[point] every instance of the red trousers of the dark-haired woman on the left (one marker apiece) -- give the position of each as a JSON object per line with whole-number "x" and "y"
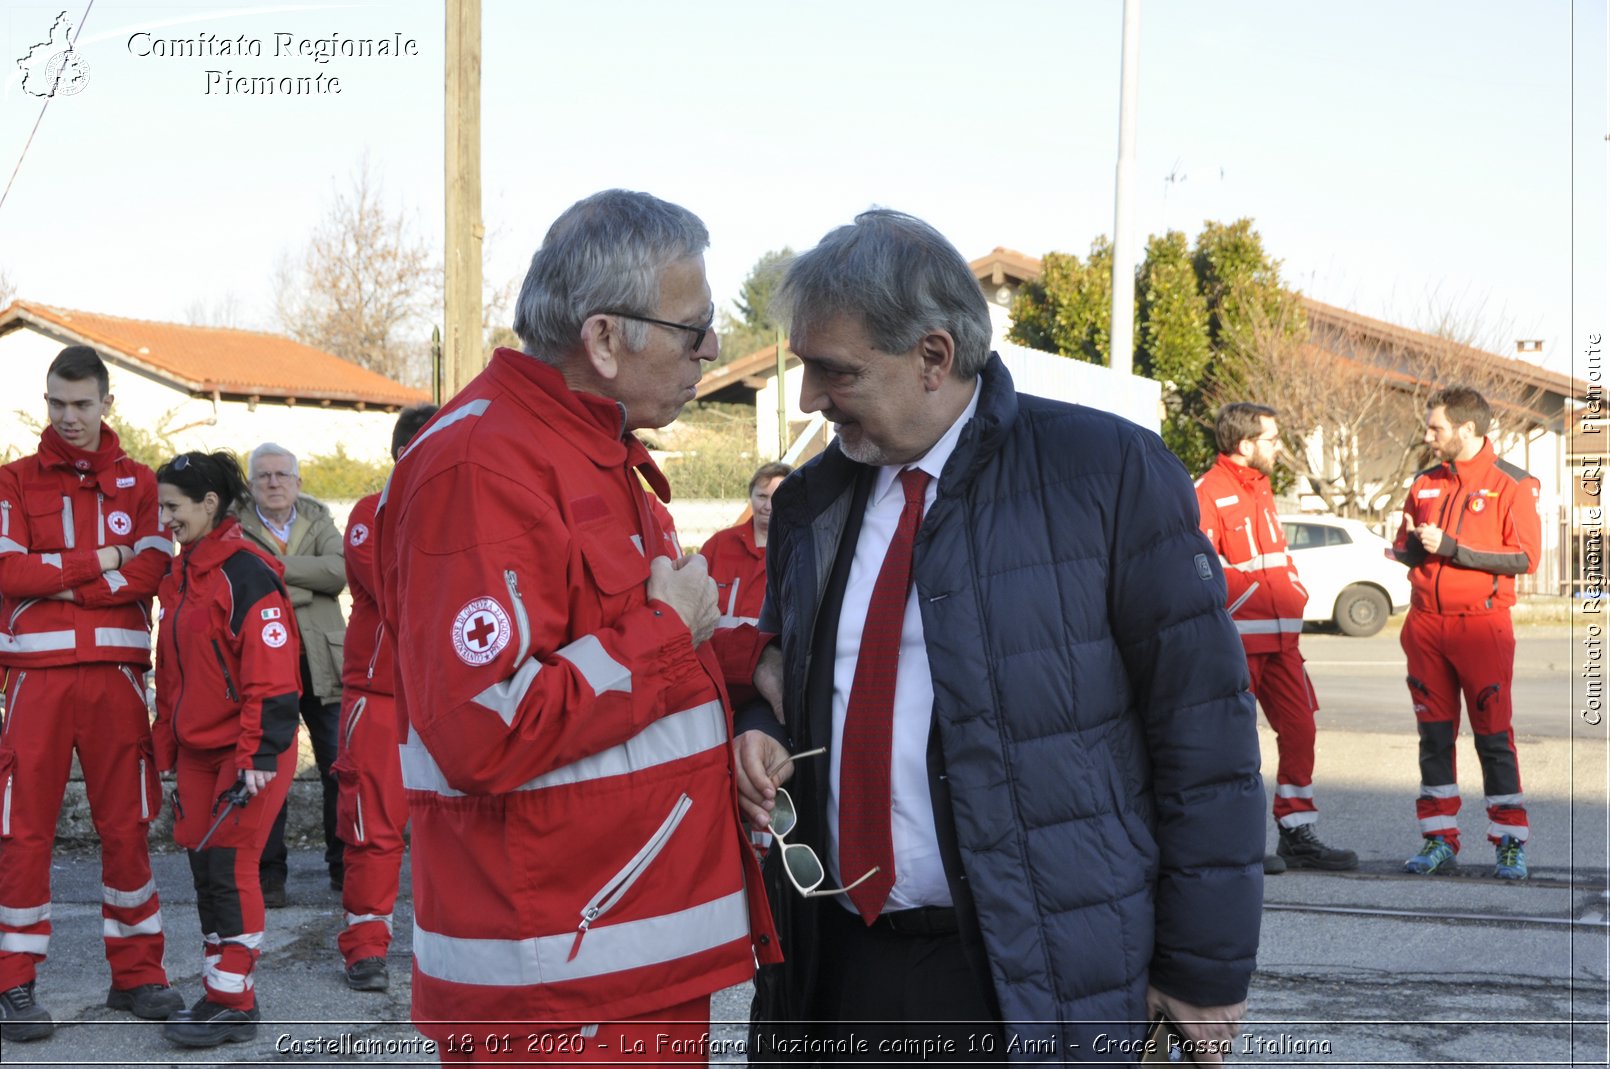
{"x": 229, "y": 898}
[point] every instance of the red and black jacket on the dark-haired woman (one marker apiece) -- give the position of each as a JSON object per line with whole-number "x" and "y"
{"x": 228, "y": 654}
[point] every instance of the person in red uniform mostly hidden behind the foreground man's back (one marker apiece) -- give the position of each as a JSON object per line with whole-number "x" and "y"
{"x": 373, "y": 811}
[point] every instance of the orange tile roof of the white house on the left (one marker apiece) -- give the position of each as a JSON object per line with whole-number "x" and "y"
{"x": 205, "y": 360}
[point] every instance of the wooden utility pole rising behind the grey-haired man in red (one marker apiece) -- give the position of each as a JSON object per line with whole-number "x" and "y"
{"x": 463, "y": 344}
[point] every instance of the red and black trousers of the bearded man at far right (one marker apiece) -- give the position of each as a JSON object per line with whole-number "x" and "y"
{"x": 1474, "y": 656}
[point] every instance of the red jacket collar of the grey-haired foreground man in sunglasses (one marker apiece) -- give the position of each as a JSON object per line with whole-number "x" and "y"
{"x": 593, "y": 423}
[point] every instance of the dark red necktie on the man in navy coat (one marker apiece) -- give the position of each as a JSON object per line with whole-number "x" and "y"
{"x": 869, "y": 722}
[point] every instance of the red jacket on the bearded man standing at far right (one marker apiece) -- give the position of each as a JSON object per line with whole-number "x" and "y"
{"x": 1488, "y": 514}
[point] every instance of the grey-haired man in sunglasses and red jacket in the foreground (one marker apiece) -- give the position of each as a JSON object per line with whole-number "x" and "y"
{"x": 576, "y": 835}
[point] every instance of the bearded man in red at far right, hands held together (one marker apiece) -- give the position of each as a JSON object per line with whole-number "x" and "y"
{"x": 1471, "y": 527}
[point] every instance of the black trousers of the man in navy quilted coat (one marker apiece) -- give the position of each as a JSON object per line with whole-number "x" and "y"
{"x": 901, "y": 996}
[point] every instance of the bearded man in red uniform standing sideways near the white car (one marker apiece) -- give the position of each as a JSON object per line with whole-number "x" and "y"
{"x": 1266, "y": 601}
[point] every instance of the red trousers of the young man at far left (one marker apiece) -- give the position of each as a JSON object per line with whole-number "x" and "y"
{"x": 99, "y": 711}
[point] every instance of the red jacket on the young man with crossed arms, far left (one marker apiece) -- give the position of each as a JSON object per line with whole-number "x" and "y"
{"x": 57, "y": 510}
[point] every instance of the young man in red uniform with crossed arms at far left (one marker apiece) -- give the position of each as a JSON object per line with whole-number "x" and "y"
{"x": 81, "y": 555}
